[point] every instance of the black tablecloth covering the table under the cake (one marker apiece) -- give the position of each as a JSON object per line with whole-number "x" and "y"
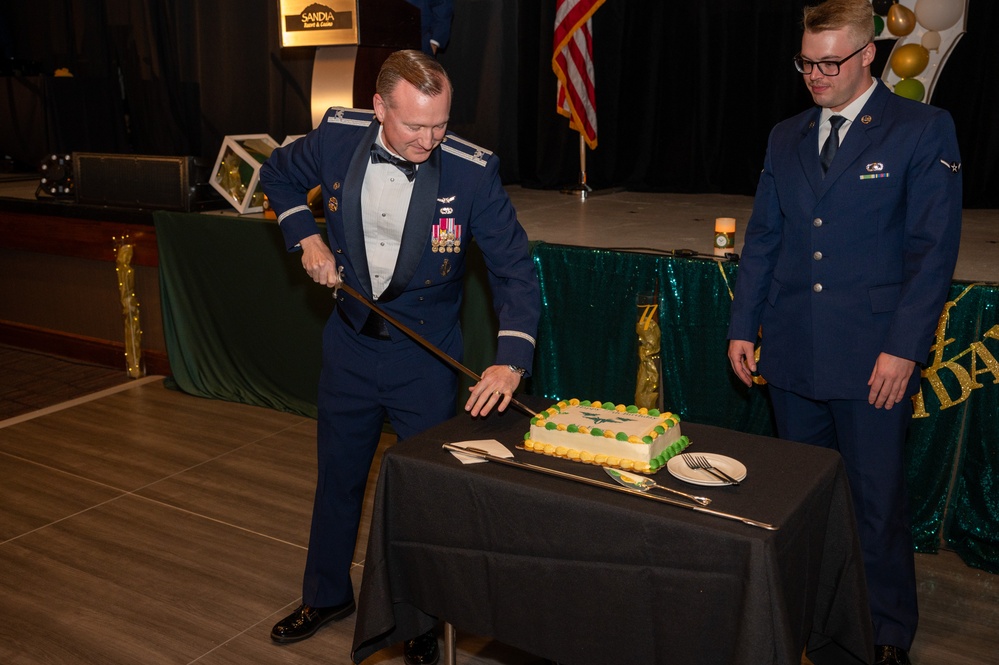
{"x": 587, "y": 576}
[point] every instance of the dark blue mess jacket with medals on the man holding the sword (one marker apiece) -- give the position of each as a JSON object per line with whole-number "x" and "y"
{"x": 459, "y": 182}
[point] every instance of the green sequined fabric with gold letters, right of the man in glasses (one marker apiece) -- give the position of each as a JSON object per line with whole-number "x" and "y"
{"x": 954, "y": 448}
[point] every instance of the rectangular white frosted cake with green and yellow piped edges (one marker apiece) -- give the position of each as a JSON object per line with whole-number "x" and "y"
{"x": 624, "y": 437}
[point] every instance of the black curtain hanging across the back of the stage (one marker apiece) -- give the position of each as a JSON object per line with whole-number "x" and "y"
{"x": 686, "y": 92}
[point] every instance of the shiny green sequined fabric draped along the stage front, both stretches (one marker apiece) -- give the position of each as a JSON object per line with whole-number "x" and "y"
{"x": 587, "y": 349}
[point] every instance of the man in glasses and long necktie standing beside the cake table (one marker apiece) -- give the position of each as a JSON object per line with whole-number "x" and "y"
{"x": 847, "y": 263}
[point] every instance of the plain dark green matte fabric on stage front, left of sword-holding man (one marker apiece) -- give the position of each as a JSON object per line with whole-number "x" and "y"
{"x": 241, "y": 319}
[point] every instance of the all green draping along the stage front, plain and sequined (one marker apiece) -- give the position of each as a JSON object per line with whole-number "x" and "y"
{"x": 243, "y": 323}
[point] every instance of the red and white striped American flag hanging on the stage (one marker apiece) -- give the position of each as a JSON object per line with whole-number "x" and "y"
{"x": 573, "y": 65}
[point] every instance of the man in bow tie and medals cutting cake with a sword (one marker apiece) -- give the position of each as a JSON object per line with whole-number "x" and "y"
{"x": 403, "y": 198}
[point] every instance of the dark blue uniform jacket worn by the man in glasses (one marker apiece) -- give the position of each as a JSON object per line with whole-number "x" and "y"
{"x": 838, "y": 269}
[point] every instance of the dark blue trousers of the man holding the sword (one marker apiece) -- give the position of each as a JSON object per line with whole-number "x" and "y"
{"x": 363, "y": 380}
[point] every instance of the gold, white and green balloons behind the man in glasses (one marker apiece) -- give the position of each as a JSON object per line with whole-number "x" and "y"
{"x": 926, "y": 32}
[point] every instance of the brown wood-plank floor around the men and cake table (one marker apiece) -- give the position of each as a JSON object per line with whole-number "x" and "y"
{"x": 146, "y": 526}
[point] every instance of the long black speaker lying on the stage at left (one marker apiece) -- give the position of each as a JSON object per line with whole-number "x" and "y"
{"x": 134, "y": 181}
